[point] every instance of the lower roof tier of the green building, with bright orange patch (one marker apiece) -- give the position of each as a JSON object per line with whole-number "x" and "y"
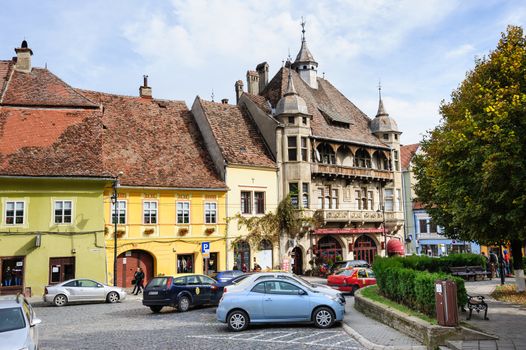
{"x": 50, "y": 142}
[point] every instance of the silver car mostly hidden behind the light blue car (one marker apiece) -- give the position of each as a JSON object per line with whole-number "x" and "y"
{"x": 250, "y": 277}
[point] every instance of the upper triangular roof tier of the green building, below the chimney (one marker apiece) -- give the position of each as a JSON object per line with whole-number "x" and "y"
{"x": 41, "y": 88}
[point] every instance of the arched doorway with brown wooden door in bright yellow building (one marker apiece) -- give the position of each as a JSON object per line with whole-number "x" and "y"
{"x": 127, "y": 264}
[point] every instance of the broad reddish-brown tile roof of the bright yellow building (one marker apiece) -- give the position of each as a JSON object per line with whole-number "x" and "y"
{"x": 155, "y": 143}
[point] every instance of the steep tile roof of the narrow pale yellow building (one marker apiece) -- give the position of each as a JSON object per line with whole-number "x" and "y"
{"x": 237, "y": 135}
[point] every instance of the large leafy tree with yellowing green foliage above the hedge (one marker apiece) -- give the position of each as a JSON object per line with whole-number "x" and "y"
{"x": 472, "y": 170}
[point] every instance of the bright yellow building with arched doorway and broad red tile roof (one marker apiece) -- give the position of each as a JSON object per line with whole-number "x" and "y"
{"x": 170, "y": 200}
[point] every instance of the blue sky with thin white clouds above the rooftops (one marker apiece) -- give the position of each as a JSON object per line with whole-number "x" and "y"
{"x": 420, "y": 51}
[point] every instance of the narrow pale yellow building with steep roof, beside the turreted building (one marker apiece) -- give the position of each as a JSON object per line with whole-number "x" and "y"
{"x": 246, "y": 164}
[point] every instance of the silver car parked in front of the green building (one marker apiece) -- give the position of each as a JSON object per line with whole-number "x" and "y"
{"x": 82, "y": 290}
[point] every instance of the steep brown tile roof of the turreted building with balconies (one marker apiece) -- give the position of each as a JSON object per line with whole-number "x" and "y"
{"x": 329, "y": 99}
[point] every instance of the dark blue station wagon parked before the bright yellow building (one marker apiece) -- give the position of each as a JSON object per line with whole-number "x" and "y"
{"x": 181, "y": 291}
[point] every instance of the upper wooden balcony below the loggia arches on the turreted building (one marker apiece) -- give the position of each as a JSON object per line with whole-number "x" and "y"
{"x": 334, "y": 171}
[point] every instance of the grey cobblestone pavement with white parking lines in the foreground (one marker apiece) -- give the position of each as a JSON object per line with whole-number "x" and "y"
{"x": 130, "y": 325}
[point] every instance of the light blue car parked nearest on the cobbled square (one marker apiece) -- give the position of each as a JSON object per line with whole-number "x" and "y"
{"x": 274, "y": 300}
